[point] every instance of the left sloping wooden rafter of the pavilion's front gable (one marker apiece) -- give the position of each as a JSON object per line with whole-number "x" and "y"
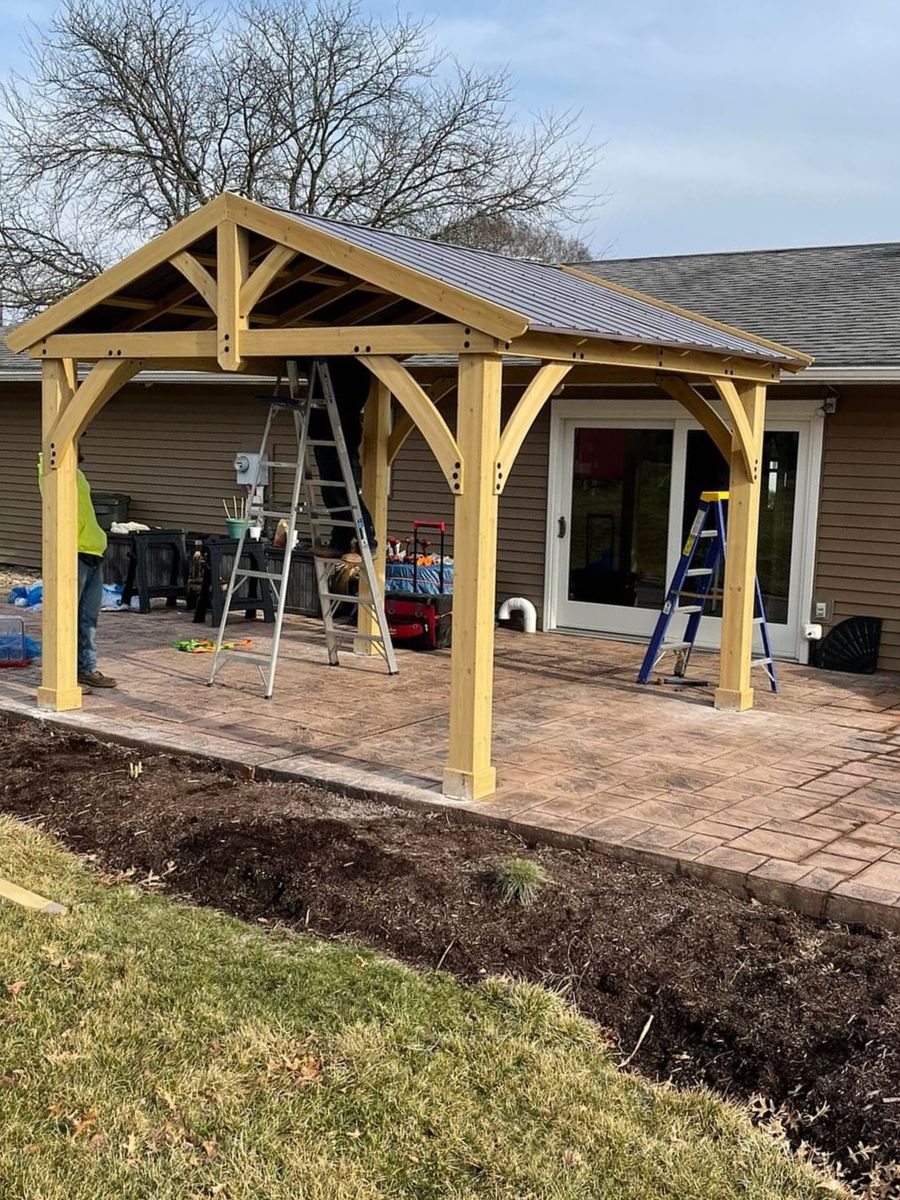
{"x": 155, "y": 253}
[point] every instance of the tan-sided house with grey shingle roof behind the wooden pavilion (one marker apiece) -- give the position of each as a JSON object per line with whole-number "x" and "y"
{"x": 595, "y": 512}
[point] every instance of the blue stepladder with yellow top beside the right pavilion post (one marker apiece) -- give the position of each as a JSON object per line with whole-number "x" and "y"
{"x": 694, "y": 585}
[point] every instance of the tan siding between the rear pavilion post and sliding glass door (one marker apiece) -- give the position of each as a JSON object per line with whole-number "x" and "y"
{"x": 418, "y": 490}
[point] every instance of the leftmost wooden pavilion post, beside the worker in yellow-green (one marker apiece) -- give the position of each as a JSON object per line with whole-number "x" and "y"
{"x": 59, "y": 688}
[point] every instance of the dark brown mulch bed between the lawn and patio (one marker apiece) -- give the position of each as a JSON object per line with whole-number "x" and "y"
{"x": 746, "y": 998}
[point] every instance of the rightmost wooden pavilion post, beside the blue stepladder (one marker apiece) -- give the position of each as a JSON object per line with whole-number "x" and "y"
{"x": 735, "y": 692}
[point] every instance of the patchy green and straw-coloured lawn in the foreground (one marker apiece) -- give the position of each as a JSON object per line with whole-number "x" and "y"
{"x": 153, "y": 1051}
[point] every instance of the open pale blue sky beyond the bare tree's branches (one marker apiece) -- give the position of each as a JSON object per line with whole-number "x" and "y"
{"x": 725, "y": 127}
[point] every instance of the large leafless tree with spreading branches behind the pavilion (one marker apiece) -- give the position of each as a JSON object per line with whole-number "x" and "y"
{"x": 135, "y": 112}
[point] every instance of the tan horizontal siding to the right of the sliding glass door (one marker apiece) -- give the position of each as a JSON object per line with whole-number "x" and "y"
{"x": 859, "y": 551}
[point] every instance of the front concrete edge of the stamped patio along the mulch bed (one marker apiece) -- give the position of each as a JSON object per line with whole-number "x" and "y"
{"x": 399, "y": 788}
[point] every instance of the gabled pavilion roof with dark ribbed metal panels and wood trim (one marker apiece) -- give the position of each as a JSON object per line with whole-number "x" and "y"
{"x": 326, "y": 274}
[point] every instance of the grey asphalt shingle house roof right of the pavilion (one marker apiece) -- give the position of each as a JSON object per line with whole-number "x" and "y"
{"x": 841, "y": 304}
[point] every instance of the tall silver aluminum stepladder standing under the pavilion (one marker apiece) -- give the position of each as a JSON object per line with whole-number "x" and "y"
{"x": 308, "y": 502}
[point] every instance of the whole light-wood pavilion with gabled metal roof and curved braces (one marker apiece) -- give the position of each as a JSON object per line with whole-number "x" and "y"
{"x": 238, "y": 286}
